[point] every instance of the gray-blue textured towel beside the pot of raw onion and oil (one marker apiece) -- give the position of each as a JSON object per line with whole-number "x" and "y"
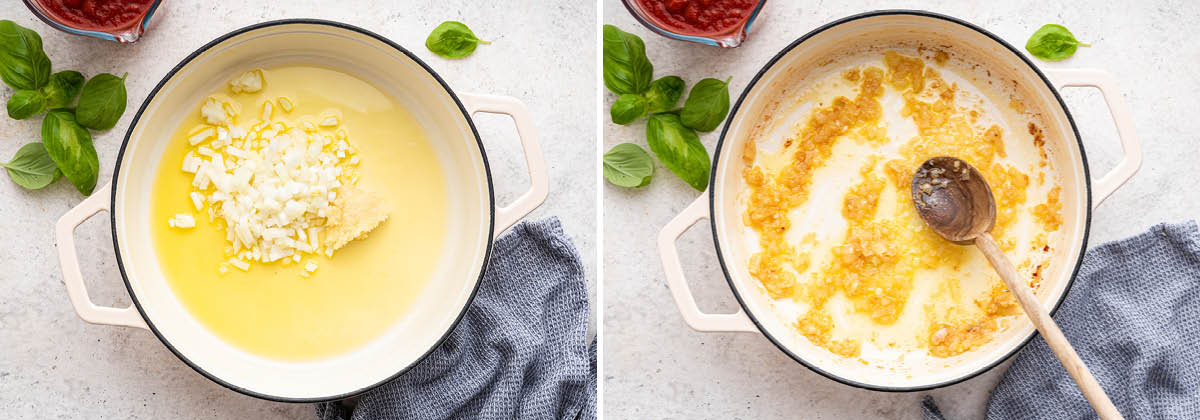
{"x": 521, "y": 351}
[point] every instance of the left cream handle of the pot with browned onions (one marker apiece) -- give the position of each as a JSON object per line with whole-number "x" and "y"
{"x": 692, "y": 314}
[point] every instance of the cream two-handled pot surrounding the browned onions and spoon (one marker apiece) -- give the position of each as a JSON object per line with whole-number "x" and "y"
{"x": 722, "y": 206}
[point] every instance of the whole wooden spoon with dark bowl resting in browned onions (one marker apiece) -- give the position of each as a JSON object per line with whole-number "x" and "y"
{"x": 957, "y": 202}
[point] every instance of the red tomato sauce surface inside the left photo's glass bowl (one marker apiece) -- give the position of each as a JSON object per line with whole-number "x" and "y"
{"x": 97, "y": 14}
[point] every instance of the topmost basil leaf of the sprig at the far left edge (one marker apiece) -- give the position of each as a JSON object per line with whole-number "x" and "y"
{"x": 23, "y": 64}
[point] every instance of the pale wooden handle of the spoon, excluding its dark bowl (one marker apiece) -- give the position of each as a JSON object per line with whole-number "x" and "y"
{"x": 1049, "y": 329}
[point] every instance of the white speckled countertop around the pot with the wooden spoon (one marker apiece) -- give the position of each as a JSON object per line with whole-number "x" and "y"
{"x": 656, "y": 367}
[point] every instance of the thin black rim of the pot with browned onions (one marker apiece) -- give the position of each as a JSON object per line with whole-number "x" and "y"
{"x": 721, "y": 143}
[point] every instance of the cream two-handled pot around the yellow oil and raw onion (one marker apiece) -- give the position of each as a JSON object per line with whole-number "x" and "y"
{"x": 445, "y": 116}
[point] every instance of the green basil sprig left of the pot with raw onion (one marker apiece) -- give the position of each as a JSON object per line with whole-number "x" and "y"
{"x": 67, "y": 148}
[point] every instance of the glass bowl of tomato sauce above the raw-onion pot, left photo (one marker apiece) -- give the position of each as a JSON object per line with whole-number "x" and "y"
{"x": 122, "y": 21}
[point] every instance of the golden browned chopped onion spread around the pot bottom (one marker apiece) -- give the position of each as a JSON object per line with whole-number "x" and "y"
{"x": 881, "y": 251}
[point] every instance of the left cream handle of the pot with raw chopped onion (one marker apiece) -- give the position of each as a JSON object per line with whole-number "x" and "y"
{"x": 64, "y": 241}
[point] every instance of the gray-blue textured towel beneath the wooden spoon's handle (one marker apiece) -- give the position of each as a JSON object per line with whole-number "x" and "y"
{"x": 1135, "y": 317}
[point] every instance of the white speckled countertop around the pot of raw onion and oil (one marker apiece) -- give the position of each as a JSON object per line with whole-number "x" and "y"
{"x": 53, "y": 365}
